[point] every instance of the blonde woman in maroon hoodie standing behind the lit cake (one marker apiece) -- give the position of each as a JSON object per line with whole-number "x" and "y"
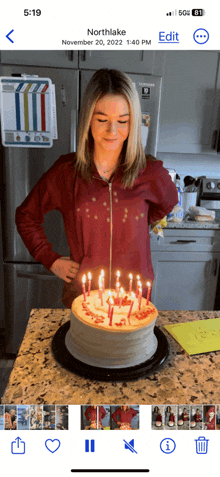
{"x": 108, "y": 193}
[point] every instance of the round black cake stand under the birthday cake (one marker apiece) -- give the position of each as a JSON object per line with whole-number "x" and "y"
{"x": 65, "y": 358}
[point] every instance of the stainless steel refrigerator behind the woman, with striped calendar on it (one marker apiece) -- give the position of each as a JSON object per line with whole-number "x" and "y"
{"x": 24, "y": 283}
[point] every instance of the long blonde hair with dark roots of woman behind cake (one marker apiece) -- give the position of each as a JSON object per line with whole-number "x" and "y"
{"x": 107, "y": 81}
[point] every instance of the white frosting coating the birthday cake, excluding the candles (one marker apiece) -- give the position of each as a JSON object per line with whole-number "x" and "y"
{"x": 107, "y": 346}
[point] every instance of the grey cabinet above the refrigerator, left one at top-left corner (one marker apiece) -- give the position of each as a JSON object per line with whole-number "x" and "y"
{"x": 54, "y": 58}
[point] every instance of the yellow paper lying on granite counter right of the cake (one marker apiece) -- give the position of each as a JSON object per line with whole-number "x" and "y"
{"x": 197, "y": 337}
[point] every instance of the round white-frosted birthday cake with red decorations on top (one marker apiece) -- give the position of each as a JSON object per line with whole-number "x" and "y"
{"x": 111, "y": 332}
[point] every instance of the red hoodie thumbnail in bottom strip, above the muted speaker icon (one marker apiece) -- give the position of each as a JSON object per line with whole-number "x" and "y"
{"x": 124, "y": 417}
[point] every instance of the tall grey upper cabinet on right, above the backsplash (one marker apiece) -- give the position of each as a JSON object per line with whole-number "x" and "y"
{"x": 189, "y": 113}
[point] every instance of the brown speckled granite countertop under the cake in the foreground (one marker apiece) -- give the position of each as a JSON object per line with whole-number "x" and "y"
{"x": 37, "y": 378}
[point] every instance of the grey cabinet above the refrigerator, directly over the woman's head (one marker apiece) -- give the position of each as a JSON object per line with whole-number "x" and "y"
{"x": 138, "y": 61}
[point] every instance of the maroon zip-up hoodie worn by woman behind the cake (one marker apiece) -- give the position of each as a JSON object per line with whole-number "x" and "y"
{"x": 103, "y": 222}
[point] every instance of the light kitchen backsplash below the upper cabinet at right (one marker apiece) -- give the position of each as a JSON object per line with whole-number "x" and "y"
{"x": 192, "y": 164}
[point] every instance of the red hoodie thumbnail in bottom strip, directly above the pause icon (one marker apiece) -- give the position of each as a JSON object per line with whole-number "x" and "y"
{"x": 95, "y": 417}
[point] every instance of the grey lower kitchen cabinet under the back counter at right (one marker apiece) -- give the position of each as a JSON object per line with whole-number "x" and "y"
{"x": 186, "y": 265}
